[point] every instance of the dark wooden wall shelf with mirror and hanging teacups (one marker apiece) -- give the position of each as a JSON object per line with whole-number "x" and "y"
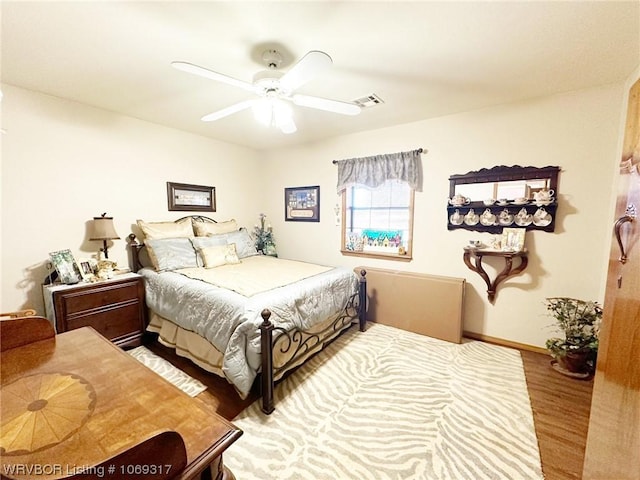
{"x": 488, "y": 200}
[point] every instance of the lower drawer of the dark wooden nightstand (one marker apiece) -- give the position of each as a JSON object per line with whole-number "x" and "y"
{"x": 111, "y": 323}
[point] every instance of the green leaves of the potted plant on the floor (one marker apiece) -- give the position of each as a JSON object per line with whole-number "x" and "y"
{"x": 579, "y": 322}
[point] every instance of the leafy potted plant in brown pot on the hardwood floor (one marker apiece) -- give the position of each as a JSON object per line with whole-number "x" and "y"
{"x": 579, "y": 322}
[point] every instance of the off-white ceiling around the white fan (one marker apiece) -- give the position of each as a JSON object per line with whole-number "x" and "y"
{"x": 424, "y": 59}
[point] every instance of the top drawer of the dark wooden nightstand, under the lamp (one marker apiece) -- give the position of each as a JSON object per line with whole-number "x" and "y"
{"x": 89, "y": 299}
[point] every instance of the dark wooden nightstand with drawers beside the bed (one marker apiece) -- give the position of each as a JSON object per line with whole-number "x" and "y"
{"x": 115, "y": 307}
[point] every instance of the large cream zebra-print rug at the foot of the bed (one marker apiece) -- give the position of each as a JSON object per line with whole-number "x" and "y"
{"x": 390, "y": 404}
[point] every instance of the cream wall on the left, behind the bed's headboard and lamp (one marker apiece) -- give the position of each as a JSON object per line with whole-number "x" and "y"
{"x": 64, "y": 163}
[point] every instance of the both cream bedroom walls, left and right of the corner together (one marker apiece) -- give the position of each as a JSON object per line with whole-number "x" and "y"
{"x": 63, "y": 163}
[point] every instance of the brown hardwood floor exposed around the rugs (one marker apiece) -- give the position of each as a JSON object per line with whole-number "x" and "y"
{"x": 560, "y": 408}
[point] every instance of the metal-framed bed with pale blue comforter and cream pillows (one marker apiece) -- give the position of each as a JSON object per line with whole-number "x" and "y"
{"x": 234, "y": 312}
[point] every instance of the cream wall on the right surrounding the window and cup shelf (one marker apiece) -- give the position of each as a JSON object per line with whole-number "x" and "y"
{"x": 577, "y": 131}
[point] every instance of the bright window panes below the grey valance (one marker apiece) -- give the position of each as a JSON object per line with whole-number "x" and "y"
{"x": 378, "y": 222}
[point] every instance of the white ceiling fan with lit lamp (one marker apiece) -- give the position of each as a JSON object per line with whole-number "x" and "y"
{"x": 276, "y": 90}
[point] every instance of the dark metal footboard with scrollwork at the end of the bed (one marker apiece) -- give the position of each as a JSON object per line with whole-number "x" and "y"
{"x": 298, "y": 344}
